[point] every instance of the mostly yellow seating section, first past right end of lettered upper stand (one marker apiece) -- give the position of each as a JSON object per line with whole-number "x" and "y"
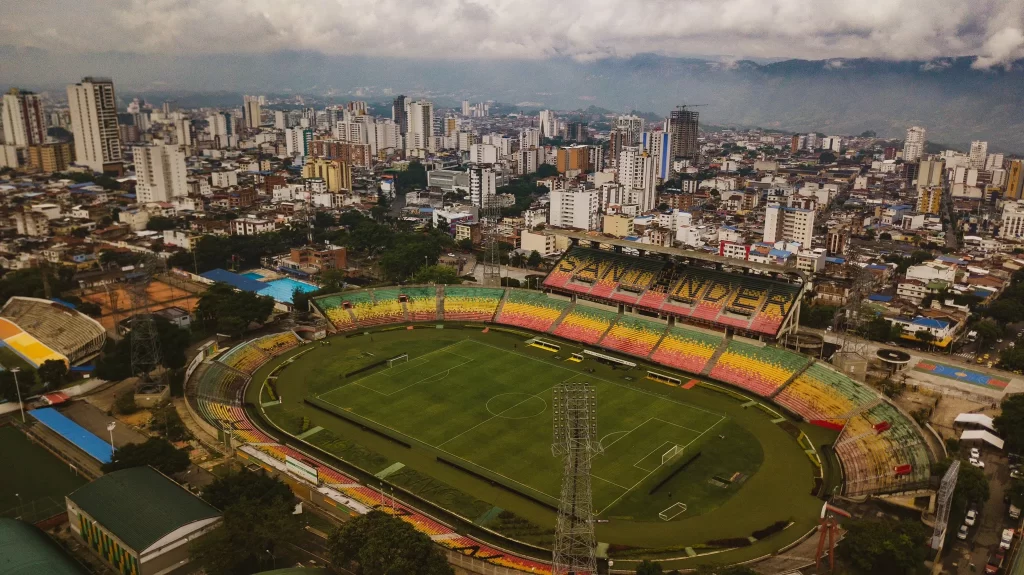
{"x": 821, "y": 393}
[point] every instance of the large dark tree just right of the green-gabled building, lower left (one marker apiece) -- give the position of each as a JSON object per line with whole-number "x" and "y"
{"x": 258, "y": 518}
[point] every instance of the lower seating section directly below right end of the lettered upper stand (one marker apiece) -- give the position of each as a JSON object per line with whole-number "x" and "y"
{"x": 760, "y": 370}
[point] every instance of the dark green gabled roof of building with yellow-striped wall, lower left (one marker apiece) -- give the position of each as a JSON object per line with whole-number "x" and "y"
{"x": 140, "y": 506}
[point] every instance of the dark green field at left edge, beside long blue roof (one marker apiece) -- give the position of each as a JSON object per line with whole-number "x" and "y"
{"x": 40, "y": 479}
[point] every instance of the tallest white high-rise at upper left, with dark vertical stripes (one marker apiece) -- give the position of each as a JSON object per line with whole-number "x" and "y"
{"x": 95, "y": 124}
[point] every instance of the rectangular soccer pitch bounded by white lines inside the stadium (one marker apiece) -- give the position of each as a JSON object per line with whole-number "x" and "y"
{"x": 488, "y": 409}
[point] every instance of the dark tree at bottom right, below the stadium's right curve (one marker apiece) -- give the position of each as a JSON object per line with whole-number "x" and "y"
{"x": 884, "y": 548}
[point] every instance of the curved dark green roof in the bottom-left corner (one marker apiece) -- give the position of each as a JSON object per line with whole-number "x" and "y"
{"x": 27, "y": 551}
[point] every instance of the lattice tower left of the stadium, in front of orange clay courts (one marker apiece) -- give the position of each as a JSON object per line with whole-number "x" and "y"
{"x": 145, "y": 340}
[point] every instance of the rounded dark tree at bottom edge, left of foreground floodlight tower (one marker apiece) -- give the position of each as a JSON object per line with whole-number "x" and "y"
{"x": 381, "y": 545}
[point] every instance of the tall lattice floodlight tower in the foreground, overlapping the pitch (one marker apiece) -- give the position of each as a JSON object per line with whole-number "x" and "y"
{"x": 576, "y": 443}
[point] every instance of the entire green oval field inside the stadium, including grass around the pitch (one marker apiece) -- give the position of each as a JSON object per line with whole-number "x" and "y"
{"x": 471, "y": 412}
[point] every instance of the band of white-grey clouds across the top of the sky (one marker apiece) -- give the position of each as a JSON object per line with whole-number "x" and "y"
{"x": 993, "y": 30}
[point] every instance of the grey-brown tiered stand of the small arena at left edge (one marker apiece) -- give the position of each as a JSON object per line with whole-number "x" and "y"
{"x": 69, "y": 333}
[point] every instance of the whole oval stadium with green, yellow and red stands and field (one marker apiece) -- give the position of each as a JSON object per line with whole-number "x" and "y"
{"x": 434, "y": 404}
